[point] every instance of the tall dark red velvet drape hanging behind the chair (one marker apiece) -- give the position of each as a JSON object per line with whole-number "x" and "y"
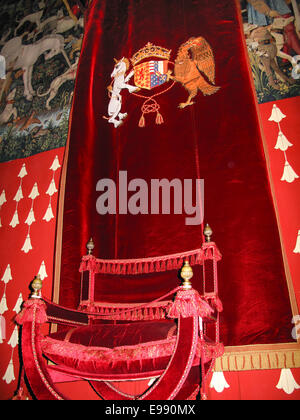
{"x": 217, "y": 139}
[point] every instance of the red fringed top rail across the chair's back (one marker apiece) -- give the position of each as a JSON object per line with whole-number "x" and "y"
{"x": 150, "y": 265}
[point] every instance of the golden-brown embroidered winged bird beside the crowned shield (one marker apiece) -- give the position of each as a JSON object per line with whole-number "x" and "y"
{"x": 195, "y": 59}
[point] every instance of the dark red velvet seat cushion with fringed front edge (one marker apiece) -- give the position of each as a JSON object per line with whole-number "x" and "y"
{"x": 121, "y": 351}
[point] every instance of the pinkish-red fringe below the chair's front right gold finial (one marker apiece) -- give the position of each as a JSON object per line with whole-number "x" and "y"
{"x": 189, "y": 303}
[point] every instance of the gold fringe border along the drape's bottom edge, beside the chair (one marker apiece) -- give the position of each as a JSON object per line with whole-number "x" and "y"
{"x": 259, "y": 357}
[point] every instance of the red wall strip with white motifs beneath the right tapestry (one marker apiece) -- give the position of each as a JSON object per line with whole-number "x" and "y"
{"x": 281, "y": 127}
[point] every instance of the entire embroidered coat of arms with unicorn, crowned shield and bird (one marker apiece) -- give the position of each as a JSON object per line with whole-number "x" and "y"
{"x": 151, "y": 70}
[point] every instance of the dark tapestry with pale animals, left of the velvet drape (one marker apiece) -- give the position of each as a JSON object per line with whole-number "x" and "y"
{"x": 40, "y": 44}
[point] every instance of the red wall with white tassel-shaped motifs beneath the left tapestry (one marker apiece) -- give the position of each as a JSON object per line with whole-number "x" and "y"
{"x": 28, "y": 207}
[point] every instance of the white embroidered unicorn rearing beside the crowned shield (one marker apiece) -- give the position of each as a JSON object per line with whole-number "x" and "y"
{"x": 119, "y": 83}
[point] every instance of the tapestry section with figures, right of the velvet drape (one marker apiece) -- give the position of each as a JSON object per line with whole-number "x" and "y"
{"x": 272, "y": 32}
